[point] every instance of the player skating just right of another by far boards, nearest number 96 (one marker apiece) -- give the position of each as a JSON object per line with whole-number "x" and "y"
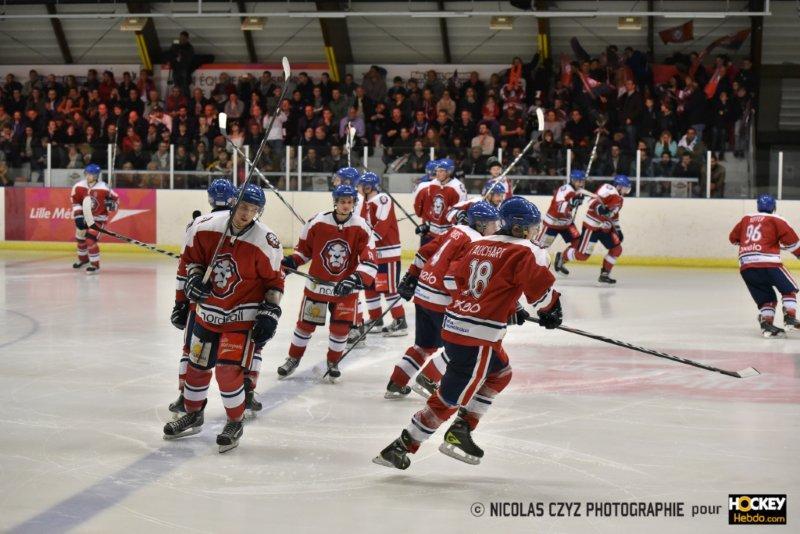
{"x": 601, "y": 224}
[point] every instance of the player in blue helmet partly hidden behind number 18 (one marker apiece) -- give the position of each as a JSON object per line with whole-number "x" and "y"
{"x": 424, "y": 281}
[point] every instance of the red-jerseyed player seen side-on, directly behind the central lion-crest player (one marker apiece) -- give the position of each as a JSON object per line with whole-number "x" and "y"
{"x": 379, "y": 213}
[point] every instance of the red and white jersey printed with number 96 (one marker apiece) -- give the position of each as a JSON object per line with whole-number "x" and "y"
{"x": 760, "y": 237}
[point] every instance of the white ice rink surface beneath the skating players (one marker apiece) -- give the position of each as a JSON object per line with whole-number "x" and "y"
{"x": 88, "y": 365}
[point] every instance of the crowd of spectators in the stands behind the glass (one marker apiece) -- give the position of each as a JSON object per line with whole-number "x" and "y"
{"x": 611, "y": 97}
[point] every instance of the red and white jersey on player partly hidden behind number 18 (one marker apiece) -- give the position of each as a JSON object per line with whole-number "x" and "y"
{"x": 432, "y": 262}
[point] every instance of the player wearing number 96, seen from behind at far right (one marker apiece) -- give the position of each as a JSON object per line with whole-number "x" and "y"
{"x": 760, "y": 237}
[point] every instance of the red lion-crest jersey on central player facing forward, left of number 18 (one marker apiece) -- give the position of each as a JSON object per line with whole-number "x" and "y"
{"x": 335, "y": 251}
